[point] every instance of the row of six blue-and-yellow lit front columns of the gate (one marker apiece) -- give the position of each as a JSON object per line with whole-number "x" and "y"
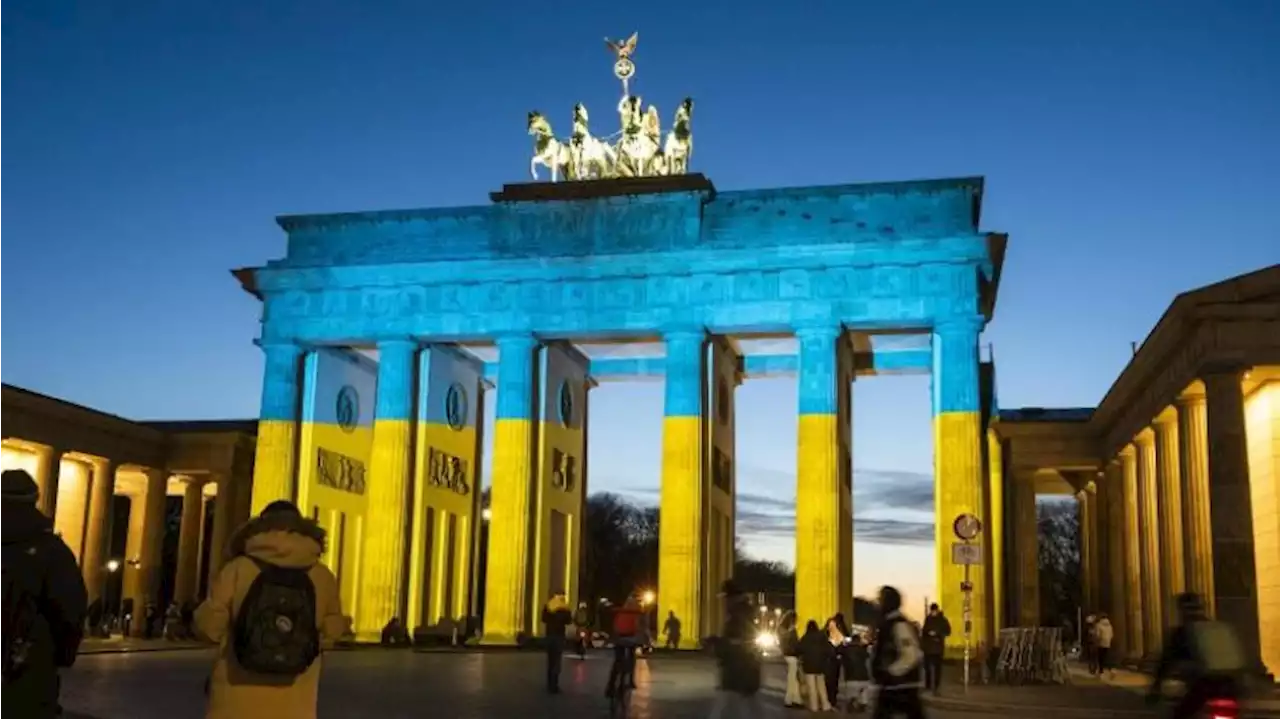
{"x": 693, "y": 498}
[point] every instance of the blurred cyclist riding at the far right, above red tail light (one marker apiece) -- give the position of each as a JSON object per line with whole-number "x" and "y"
{"x": 1206, "y": 654}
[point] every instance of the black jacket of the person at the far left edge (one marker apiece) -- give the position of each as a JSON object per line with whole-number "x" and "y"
{"x": 44, "y": 565}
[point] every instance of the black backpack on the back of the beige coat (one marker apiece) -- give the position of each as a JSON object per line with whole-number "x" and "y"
{"x": 276, "y": 629}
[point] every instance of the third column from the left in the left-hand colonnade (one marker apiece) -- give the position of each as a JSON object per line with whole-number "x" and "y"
{"x": 147, "y": 537}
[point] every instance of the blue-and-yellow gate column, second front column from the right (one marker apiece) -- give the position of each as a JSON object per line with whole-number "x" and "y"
{"x": 821, "y": 556}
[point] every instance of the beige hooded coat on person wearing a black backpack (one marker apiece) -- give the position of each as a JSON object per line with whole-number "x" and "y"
{"x": 235, "y": 693}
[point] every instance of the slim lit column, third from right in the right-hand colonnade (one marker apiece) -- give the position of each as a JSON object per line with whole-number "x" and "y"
{"x": 1171, "y": 492}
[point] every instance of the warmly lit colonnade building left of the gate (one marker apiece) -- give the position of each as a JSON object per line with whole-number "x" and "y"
{"x": 95, "y": 470}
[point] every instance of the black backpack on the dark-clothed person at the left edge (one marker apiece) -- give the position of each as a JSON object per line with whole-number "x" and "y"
{"x": 20, "y": 608}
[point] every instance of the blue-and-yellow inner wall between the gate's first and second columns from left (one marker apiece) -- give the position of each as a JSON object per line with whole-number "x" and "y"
{"x": 335, "y": 455}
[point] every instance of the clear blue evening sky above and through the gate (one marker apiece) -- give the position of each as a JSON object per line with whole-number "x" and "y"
{"x": 145, "y": 148}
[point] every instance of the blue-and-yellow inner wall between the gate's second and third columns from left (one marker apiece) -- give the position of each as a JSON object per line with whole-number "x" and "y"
{"x": 446, "y": 487}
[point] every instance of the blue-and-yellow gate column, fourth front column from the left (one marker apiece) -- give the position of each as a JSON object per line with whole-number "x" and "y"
{"x": 682, "y": 538}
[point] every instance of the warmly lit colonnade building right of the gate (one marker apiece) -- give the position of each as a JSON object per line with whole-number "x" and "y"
{"x": 1176, "y": 471}
